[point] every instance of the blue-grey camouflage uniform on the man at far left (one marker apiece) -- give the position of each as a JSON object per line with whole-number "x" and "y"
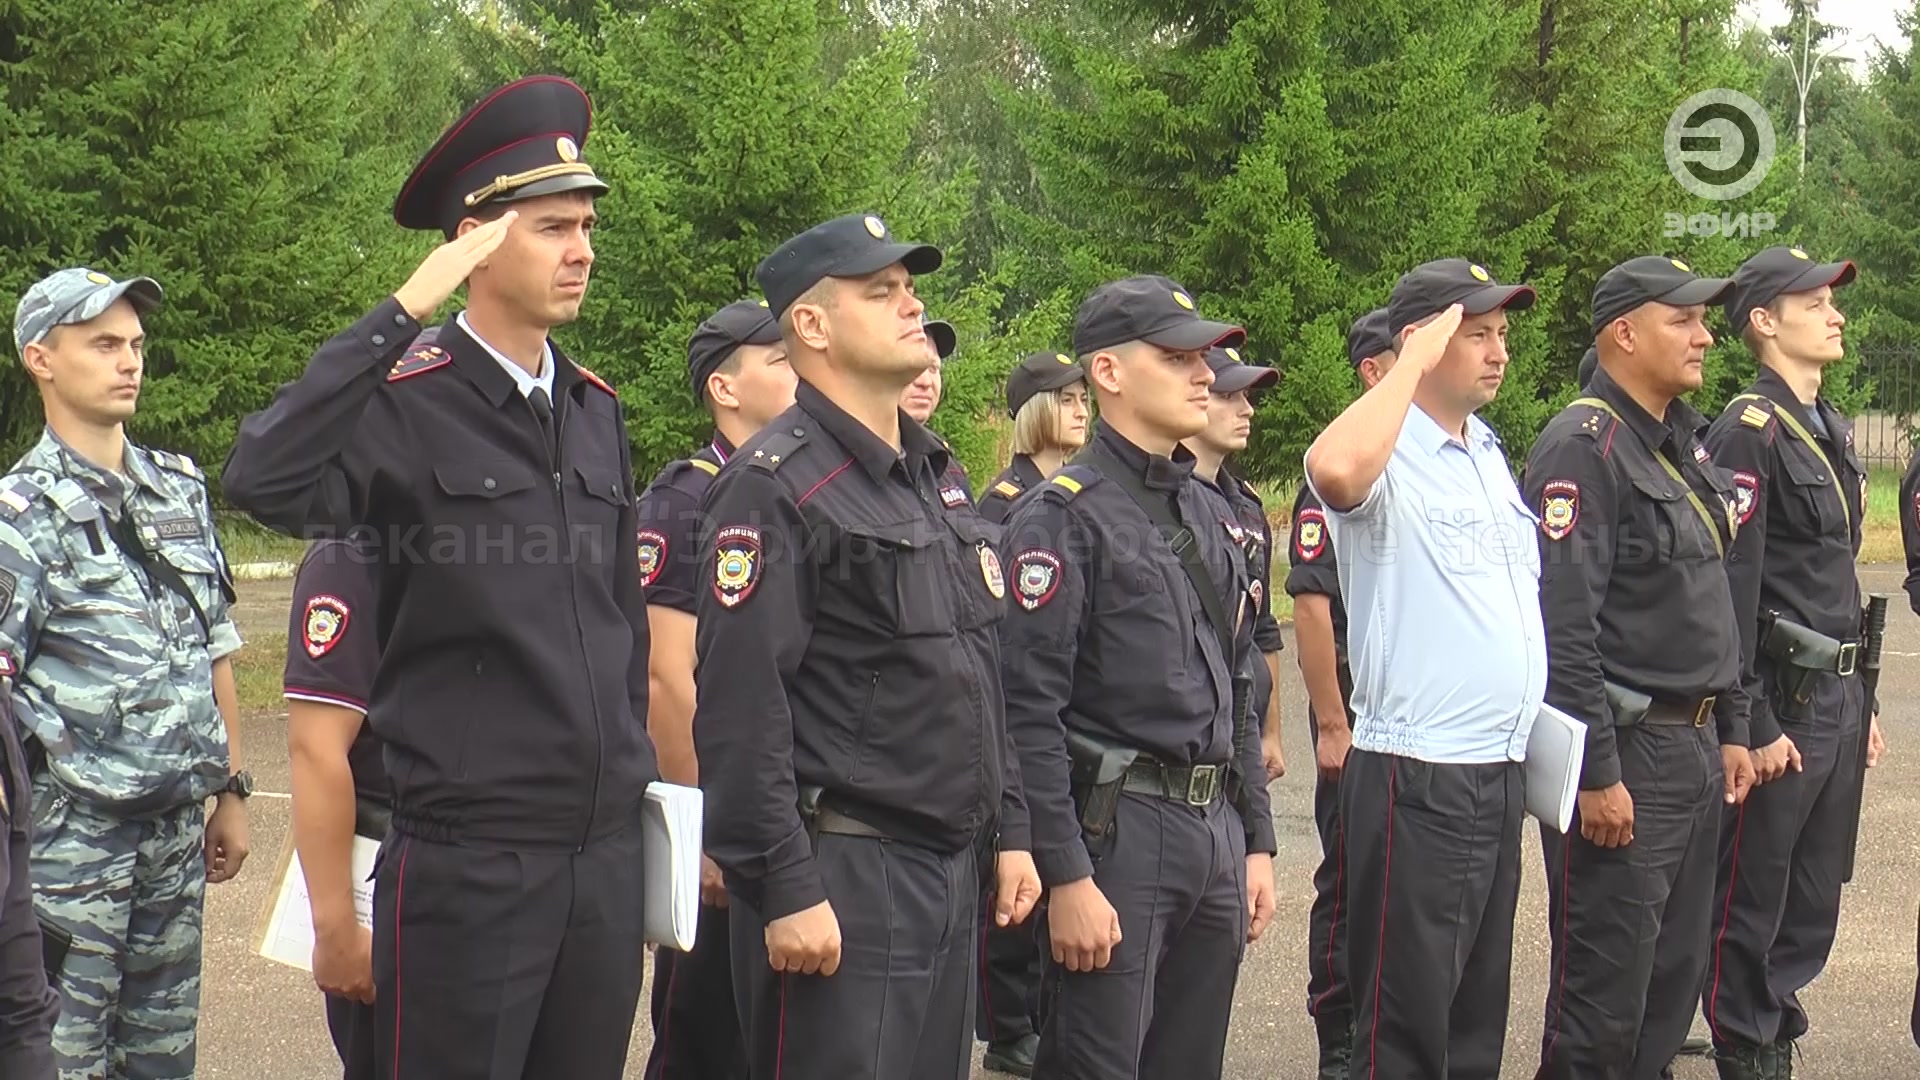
{"x": 116, "y": 702}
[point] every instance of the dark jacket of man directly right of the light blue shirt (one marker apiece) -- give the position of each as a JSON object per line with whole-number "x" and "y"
{"x": 1633, "y": 566}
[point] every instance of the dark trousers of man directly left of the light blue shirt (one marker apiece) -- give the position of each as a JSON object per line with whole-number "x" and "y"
{"x": 1159, "y": 1012}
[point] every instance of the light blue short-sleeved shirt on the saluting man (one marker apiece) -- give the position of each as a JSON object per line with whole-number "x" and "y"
{"x": 1441, "y": 576}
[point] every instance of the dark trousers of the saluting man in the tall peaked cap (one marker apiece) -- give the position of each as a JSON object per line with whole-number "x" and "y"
{"x": 548, "y": 994}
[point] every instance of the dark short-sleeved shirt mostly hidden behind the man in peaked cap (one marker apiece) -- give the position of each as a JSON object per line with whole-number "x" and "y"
{"x": 333, "y": 650}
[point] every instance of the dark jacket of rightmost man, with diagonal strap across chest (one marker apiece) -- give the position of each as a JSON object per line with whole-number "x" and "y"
{"x": 1800, "y": 497}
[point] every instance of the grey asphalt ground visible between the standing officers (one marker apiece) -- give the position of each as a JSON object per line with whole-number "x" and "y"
{"x": 262, "y": 1019}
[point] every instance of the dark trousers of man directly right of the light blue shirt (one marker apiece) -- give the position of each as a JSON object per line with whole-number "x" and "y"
{"x": 1631, "y": 923}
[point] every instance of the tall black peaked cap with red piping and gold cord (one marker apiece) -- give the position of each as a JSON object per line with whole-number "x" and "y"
{"x": 521, "y": 141}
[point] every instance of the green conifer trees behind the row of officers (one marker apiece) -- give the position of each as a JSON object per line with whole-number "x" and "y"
{"x": 1287, "y": 160}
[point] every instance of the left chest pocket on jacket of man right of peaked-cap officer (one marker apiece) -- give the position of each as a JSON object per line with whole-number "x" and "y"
{"x": 898, "y": 576}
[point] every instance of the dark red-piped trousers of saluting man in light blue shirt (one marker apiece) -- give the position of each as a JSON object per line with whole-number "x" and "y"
{"x": 1433, "y": 862}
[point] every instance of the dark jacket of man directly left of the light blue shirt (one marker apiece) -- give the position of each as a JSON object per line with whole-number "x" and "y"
{"x": 1107, "y": 635}
